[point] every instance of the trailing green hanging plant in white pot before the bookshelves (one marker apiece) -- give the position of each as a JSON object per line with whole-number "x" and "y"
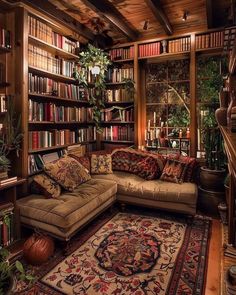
{"x": 94, "y": 59}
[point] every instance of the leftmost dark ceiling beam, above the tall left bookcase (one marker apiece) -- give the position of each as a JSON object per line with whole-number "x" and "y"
{"x": 61, "y": 16}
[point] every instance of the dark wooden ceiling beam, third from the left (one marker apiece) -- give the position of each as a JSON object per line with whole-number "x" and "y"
{"x": 160, "y": 15}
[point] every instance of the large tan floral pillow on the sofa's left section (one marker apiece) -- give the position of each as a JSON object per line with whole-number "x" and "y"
{"x": 68, "y": 172}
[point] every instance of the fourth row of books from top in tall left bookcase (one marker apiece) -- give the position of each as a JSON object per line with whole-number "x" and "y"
{"x": 41, "y": 112}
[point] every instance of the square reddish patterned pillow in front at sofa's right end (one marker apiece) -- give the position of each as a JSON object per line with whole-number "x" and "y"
{"x": 173, "y": 171}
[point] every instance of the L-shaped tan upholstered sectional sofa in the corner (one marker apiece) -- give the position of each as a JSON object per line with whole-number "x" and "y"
{"x": 64, "y": 215}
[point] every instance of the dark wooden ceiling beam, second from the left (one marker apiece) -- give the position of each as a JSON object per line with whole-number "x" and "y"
{"x": 106, "y": 10}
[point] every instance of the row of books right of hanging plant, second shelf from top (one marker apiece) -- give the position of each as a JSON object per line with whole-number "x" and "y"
{"x": 115, "y": 75}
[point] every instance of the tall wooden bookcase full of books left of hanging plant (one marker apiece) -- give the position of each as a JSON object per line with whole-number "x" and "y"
{"x": 53, "y": 85}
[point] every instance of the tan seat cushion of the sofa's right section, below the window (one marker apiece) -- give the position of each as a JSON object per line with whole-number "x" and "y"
{"x": 132, "y": 185}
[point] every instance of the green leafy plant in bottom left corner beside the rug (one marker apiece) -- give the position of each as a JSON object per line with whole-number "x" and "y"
{"x": 13, "y": 277}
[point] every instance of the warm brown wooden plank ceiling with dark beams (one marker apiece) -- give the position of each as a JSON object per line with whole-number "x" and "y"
{"x": 119, "y": 21}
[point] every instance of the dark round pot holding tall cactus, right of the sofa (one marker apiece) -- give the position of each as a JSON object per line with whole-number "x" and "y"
{"x": 212, "y": 180}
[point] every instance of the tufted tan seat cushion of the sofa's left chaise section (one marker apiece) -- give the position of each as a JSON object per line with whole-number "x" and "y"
{"x": 70, "y": 207}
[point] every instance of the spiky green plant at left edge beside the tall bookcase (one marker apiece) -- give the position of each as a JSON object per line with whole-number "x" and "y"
{"x": 10, "y": 138}
